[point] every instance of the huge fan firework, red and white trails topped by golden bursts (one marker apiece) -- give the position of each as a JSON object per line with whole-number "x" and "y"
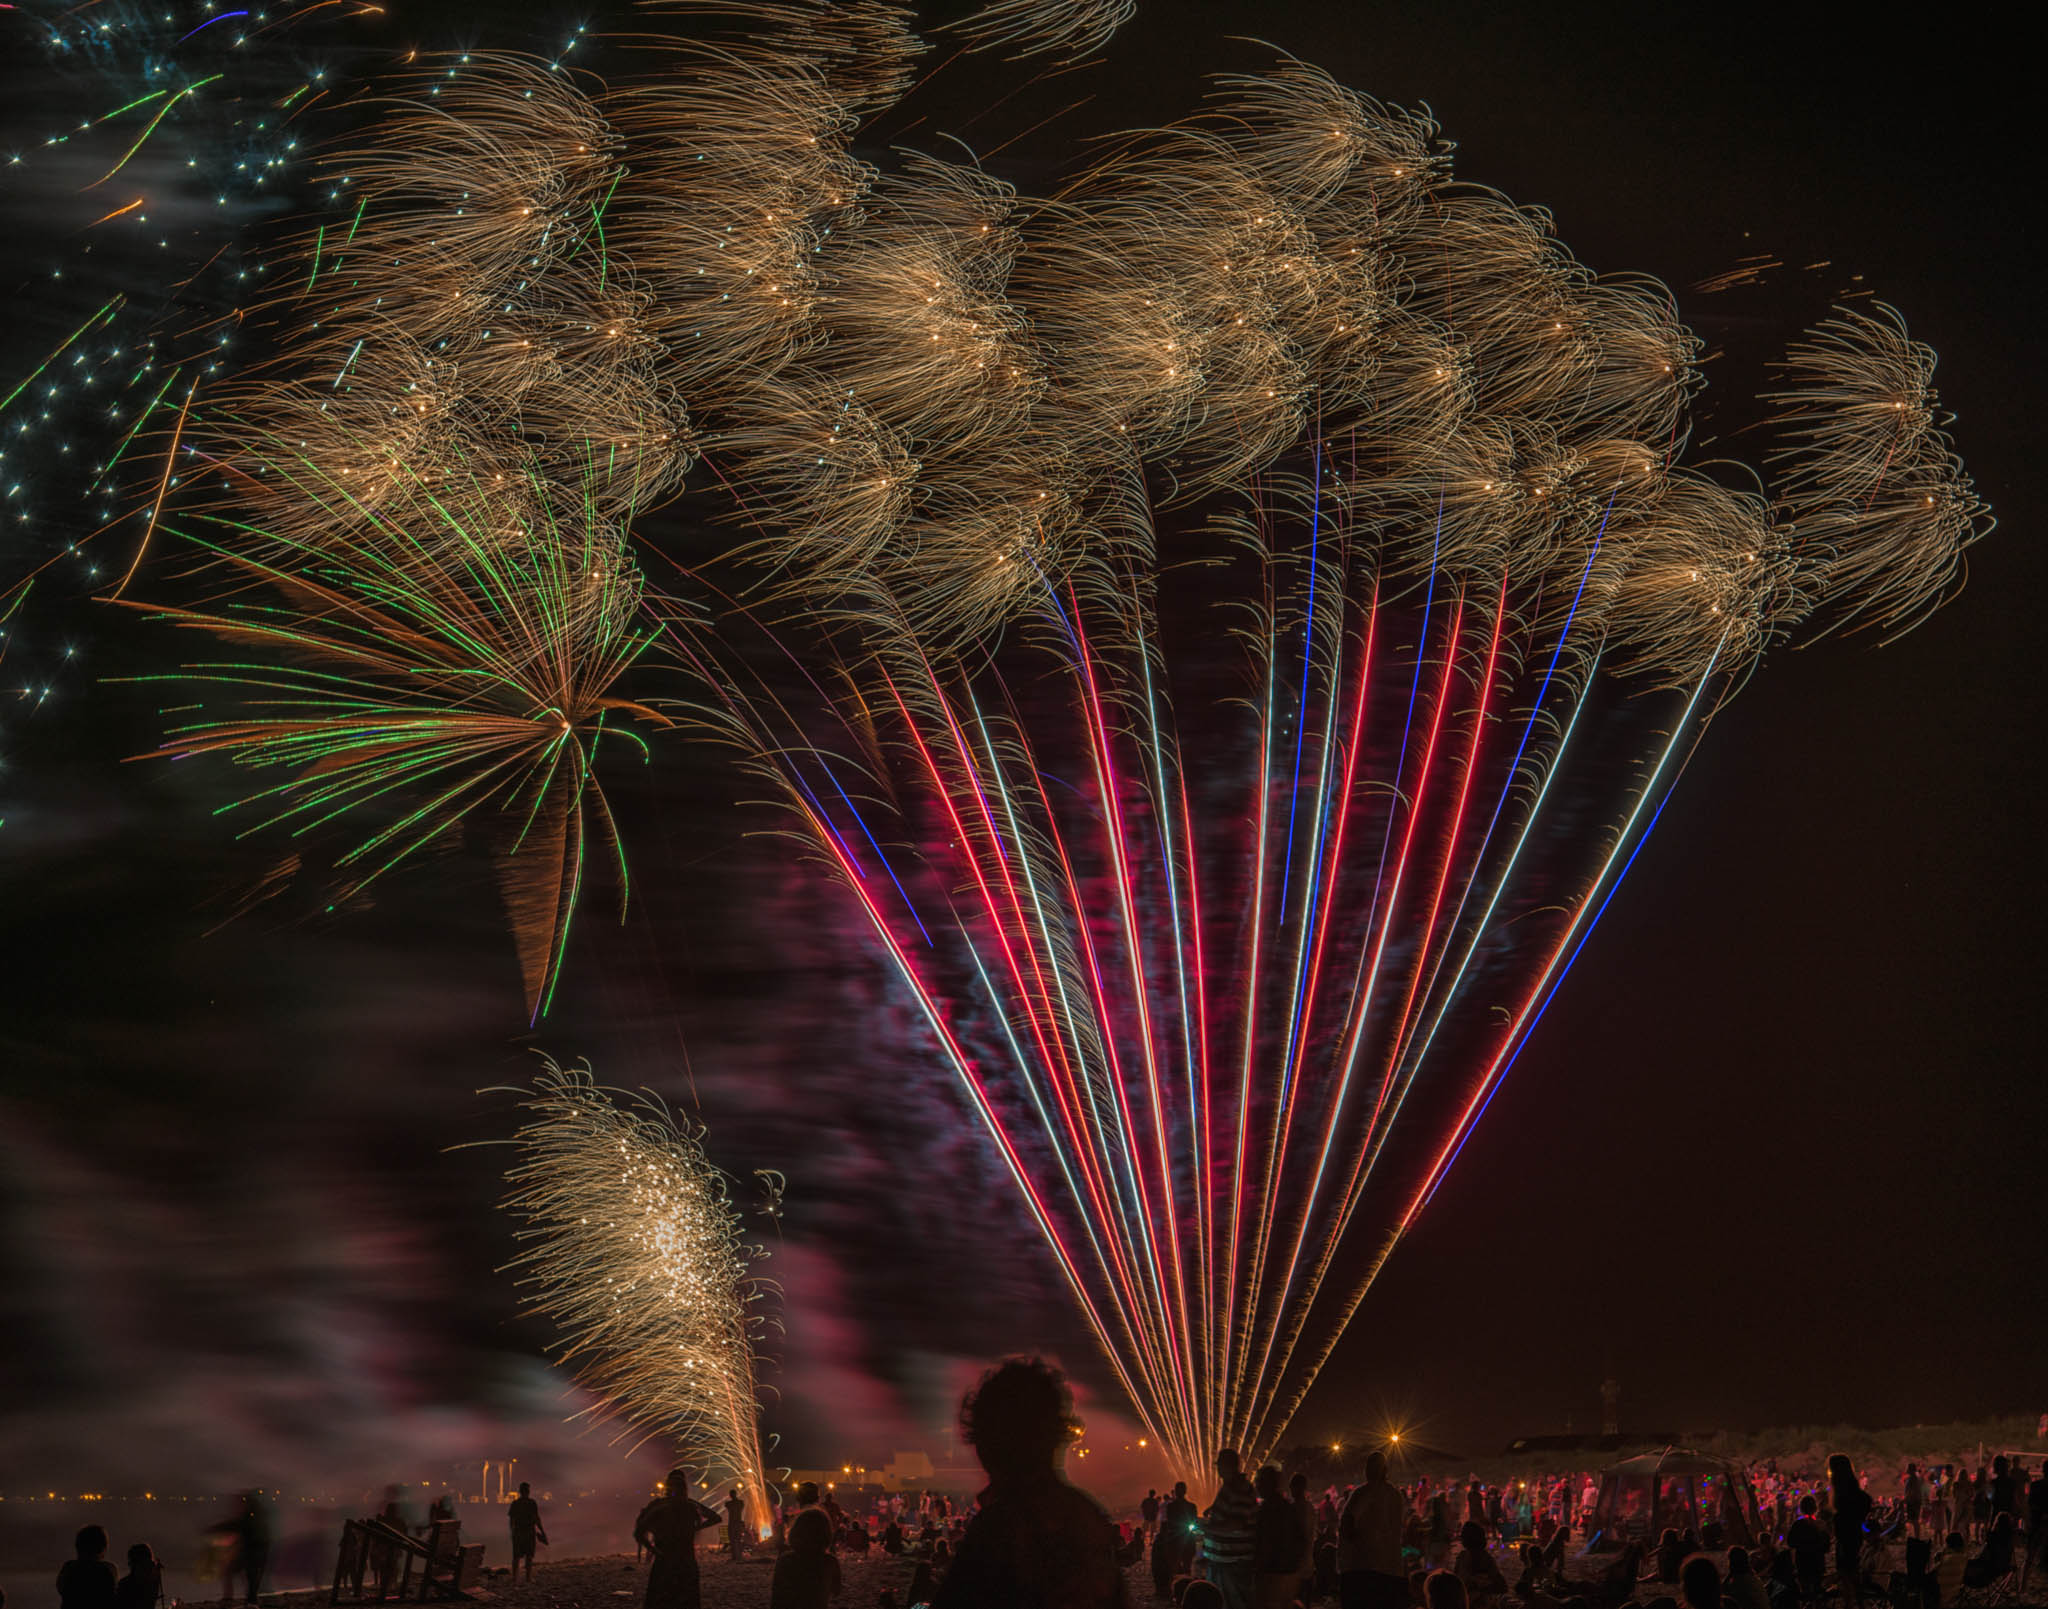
{"x": 1228, "y": 957}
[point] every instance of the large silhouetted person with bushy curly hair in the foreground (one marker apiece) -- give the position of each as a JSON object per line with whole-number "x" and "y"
{"x": 1035, "y": 1540}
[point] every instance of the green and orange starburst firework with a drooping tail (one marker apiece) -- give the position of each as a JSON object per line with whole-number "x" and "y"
{"x": 443, "y": 652}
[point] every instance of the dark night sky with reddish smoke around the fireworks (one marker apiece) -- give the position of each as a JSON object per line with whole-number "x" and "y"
{"x": 1775, "y": 1156}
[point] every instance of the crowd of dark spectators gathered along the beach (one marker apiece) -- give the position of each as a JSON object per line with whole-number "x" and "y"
{"x": 1932, "y": 1538}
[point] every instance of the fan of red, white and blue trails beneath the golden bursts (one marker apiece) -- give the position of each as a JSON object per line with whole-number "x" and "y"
{"x": 1129, "y": 971}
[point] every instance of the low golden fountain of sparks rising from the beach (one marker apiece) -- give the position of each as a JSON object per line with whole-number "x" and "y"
{"x": 636, "y": 1254}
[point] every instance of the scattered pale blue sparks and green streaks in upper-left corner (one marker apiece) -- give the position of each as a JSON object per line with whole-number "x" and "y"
{"x": 151, "y": 140}
